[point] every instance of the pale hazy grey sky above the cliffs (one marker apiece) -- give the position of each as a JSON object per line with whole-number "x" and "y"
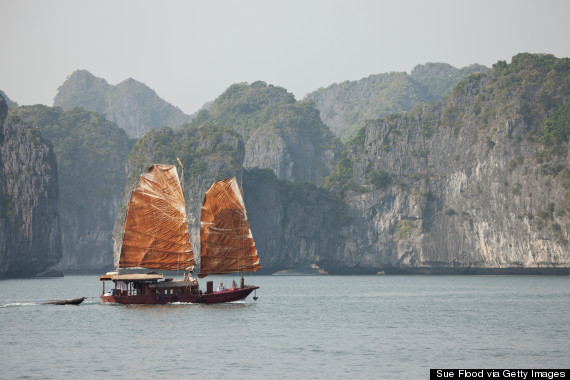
{"x": 189, "y": 51}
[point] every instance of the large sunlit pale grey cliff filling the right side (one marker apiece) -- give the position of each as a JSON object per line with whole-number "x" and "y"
{"x": 480, "y": 180}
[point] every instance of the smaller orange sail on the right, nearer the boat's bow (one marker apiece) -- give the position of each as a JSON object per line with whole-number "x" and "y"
{"x": 227, "y": 245}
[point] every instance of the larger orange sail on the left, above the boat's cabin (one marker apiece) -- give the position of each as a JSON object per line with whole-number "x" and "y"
{"x": 155, "y": 230}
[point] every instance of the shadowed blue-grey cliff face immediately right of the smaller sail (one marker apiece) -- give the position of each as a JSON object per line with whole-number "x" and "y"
{"x": 292, "y": 224}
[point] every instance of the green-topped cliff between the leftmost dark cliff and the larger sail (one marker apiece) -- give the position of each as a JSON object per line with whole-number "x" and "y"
{"x": 90, "y": 152}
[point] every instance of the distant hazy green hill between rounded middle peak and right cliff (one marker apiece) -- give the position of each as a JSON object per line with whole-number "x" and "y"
{"x": 344, "y": 107}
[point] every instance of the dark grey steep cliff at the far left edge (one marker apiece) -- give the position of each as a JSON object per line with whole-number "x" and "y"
{"x": 30, "y": 240}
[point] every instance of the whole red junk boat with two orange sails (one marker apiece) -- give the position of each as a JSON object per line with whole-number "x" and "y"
{"x": 156, "y": 237}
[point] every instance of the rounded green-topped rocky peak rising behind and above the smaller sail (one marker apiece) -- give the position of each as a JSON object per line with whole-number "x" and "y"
{"x": 280, "y": 133}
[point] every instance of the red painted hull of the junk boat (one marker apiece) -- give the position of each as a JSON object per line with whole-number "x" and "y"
{"x": 207, "y": 298}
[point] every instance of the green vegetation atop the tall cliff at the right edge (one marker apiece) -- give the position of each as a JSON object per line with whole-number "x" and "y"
{"x": 534, "y": 89}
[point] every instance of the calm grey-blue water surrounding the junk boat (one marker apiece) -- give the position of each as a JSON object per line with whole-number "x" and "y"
{"x": 301, "y": 327}
